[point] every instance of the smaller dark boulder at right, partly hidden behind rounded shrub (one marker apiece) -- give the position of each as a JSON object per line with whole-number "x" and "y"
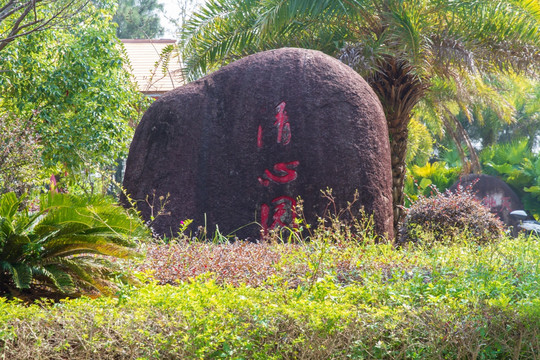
{"x": 495, "y": 194}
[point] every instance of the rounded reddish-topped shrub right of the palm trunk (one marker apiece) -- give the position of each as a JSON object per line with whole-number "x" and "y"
{"x": 448, "y": 215}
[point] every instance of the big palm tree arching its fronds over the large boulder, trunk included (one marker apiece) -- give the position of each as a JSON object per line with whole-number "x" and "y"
{"x": 398, "y": 46}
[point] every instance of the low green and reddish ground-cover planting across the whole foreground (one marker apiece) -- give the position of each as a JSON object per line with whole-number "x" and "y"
{"x": 317, "y": 300}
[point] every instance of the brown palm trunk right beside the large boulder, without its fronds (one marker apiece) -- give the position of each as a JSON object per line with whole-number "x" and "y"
{"x": 399, "y": 90}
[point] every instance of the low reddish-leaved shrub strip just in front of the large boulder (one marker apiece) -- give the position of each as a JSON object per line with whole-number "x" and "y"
{"x": 254, "y": 264}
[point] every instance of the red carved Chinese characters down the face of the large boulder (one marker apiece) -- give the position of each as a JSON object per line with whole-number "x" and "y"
{"x": 282, "y": 210}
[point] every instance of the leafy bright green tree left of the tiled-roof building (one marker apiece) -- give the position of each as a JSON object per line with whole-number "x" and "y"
{"x": 69, "y": 89}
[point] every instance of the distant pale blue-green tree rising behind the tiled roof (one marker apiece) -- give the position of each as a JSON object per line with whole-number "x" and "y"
{"x": 138, "y": 19}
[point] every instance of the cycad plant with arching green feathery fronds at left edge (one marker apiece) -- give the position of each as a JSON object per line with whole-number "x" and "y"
{"x": 67, "y": 248}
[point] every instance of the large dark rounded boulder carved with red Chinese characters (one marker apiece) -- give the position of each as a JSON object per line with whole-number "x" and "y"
{"x": 237, "y": 147}
